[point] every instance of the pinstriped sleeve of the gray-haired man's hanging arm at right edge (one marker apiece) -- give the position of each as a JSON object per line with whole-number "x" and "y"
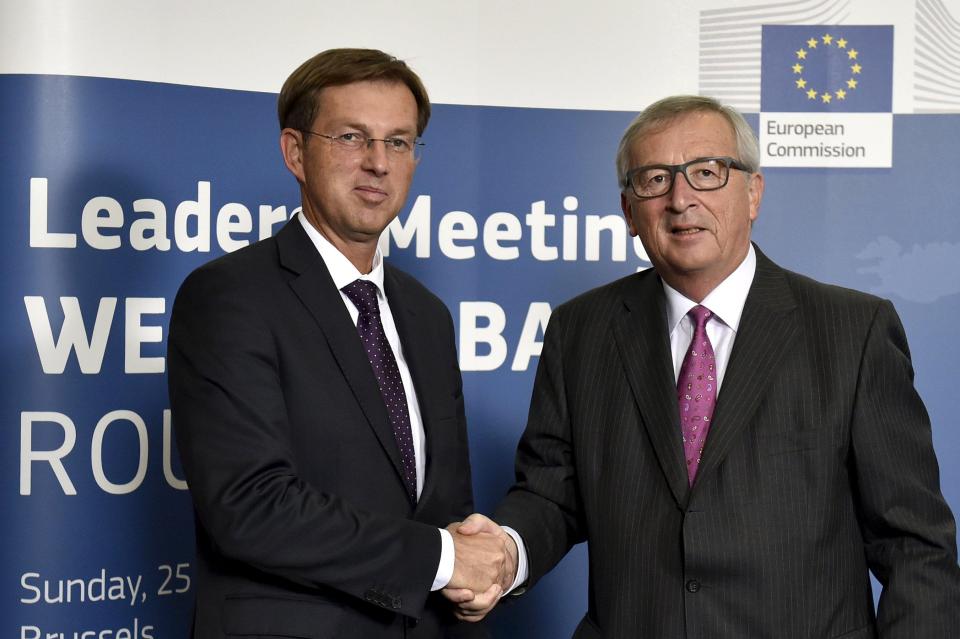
{"x": 909, "y": 532}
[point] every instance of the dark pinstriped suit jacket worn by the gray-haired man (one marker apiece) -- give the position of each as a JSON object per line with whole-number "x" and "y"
{"x": 818, "y": 466}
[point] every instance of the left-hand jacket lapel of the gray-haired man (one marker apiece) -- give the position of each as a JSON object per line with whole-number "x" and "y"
{"x": 640, "y": 331}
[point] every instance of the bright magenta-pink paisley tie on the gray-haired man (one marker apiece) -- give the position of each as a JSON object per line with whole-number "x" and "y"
{"x": 697, "y": 391}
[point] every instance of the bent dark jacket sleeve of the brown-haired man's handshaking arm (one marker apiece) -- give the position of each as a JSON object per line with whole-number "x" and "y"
{"x": 233, "y": 437}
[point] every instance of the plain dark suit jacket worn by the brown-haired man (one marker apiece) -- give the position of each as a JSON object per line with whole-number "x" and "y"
{"x": 303, "y": 525}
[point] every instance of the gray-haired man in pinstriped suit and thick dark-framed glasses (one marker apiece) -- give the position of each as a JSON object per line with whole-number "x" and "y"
{"x": 740, "y": 445}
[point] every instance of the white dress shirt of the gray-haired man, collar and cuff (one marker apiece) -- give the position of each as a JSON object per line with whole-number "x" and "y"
{"x": 726, "y": 303}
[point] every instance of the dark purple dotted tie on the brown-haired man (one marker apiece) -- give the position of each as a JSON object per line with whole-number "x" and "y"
{"x": 363, "y": 294}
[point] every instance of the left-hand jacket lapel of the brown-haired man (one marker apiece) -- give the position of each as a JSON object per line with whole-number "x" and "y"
{"x": 316, "y": 290}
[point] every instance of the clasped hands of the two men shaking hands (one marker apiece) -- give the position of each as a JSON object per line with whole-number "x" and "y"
{"x": 485, "y": 567}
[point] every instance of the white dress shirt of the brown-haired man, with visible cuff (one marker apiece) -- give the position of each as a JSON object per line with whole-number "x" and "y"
{"x": 344, "y": 272}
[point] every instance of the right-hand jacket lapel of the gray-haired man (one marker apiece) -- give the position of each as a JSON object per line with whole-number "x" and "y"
{"x": 768, "y": 327}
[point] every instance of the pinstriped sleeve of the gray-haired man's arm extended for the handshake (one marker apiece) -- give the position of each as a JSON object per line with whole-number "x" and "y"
{"x": 544, "y": 505}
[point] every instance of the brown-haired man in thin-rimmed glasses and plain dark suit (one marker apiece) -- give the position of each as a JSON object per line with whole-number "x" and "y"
{"x": 316, "y": 392}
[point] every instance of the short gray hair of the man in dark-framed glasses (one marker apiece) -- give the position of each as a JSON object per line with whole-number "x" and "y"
{"x": 662, "y": 111}
